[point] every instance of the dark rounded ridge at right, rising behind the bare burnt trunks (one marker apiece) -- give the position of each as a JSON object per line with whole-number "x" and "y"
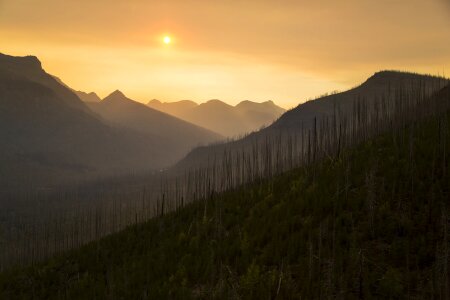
{"x": 383, "y": 85}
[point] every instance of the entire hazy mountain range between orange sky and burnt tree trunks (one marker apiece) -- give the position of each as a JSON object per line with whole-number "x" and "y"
{"x": 50, "y": 136}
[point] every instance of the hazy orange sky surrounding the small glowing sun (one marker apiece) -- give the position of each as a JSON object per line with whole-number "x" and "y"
{"x": 283, "y": 50}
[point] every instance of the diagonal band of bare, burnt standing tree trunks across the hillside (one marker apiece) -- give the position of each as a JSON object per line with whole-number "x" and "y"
{"x": 74, "y": 216}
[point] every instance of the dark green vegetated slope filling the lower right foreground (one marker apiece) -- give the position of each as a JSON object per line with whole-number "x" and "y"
{"x": 372, "y": 223}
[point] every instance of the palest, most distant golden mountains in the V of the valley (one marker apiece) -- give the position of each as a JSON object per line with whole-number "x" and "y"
{"x": 220, "y": 117}
